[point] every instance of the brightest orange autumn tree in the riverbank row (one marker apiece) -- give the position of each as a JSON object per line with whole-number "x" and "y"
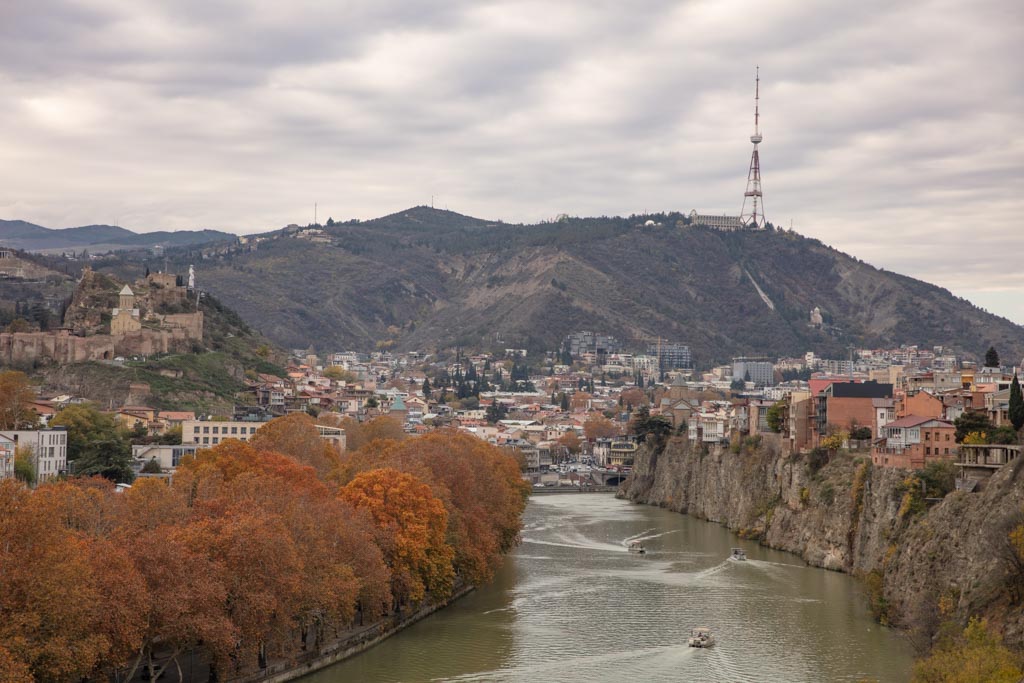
{"x": 412, "y": 525}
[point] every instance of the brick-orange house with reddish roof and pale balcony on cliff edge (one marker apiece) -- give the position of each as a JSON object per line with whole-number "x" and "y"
{"x": 914, "y": 442}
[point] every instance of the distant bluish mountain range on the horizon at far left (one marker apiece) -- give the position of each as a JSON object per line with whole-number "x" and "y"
{"x": 29, "y": 237}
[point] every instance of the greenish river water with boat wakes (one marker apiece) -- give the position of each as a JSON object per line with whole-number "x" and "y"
{"x": 572, "y": 605}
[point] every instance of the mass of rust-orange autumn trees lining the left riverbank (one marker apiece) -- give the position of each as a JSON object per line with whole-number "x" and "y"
{"x": 249, "y": 554}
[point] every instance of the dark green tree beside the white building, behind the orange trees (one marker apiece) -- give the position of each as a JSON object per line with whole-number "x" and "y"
{"x": 96, "y": 445}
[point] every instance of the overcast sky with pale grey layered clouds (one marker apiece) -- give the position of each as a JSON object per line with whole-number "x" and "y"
{"x": 892, "y": 132}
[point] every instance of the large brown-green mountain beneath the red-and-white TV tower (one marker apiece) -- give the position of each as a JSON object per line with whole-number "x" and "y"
{"x": 428, "y": 279}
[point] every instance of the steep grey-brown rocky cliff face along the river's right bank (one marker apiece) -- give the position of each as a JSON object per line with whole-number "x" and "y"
{"x": 922, "y": 563}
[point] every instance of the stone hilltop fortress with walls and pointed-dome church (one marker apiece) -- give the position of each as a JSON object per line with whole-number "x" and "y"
{"x": 152, "y": 319}
